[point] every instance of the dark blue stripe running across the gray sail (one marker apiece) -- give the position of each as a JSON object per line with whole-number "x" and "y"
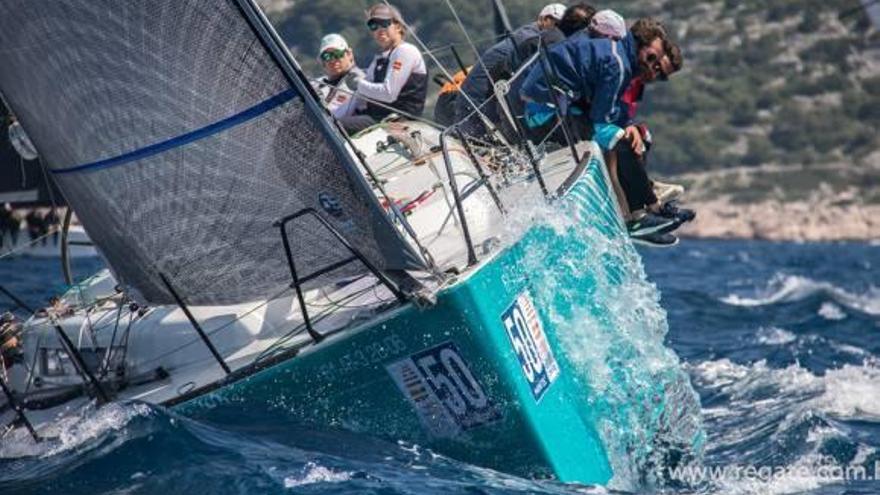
{"x": 184, "y": 139}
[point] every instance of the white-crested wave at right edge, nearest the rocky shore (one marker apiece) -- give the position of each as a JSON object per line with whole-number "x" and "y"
{"x": 793, "y": 288}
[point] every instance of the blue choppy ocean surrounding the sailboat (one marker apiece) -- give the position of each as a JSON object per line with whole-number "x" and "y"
{"x": 780, "y": 340}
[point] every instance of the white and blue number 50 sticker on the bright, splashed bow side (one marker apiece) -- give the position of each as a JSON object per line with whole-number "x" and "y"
{"x": 526, "y": 333}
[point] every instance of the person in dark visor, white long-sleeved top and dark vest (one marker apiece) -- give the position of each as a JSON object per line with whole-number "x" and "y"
{"x": 397, "y": 78}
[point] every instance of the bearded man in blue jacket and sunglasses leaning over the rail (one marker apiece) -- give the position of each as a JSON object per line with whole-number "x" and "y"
{"x": 587, "y": 77}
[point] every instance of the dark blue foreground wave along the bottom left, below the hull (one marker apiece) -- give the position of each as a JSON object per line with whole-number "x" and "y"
{"x": 139, "y": 448}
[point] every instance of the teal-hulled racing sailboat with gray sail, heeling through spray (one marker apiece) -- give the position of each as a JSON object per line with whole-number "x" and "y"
{"x": 405, "y": 283}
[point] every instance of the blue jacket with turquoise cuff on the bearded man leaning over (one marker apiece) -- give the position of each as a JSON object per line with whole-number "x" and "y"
{"x": 597, "y": 70}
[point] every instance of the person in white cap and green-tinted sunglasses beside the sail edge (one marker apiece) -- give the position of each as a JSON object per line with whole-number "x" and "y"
{"x": 336, "y": 89}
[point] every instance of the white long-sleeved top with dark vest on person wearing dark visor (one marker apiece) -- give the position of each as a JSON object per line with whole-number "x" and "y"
{"x": 398, "y": 78}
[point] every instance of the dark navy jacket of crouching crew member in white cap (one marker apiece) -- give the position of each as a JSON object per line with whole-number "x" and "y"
{"x": 499, "y": 62}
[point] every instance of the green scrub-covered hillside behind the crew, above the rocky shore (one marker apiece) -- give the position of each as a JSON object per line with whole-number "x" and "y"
{"x": 787, "y": 81}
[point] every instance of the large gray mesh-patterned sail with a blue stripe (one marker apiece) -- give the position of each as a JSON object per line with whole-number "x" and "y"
{"x": 178, "y": 140}
